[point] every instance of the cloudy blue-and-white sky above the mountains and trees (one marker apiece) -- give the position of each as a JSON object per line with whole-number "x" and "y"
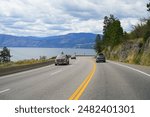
{"x": 58, "y": 17}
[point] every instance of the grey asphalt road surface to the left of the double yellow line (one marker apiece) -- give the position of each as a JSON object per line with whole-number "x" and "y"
{"x": 51, "y": 82}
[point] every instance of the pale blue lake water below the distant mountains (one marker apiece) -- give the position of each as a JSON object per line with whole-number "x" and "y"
{"x": 29, "y": 53}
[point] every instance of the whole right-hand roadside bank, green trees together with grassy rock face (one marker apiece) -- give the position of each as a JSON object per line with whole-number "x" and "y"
{"x": 132, "y": 47}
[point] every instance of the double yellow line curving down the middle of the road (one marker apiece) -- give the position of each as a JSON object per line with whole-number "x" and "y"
{"x": 77, "y": 94}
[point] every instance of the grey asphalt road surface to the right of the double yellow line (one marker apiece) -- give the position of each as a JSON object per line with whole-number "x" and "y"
{"x": 112, "y": 81}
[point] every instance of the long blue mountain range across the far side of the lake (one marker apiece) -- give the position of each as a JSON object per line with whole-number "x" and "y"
{"x": 71, "y": 40}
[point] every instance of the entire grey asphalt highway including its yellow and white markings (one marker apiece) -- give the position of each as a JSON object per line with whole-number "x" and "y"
{"x": 82, "y": 79}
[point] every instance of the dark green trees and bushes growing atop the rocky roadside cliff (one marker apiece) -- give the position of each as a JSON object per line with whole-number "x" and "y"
{"x": 113, "y": 33}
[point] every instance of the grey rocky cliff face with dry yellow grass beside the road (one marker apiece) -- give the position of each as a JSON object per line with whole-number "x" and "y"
{"x": 132, "y": 51}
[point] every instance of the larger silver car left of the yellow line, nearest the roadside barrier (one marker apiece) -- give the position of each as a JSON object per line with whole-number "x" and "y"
{"x": 62, "y": 60}
